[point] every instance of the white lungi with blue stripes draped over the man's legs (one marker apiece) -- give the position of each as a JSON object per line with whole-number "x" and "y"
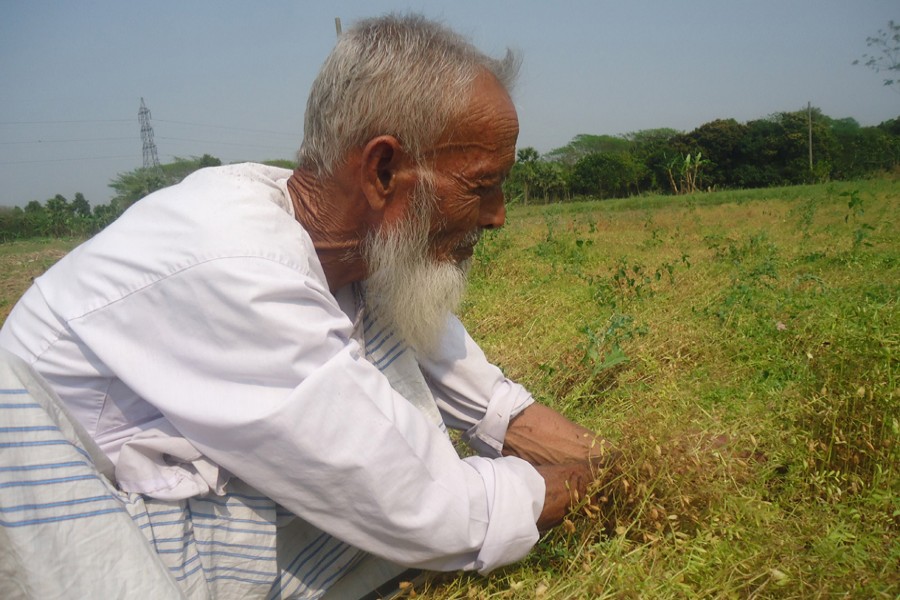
{"x": 66, "y": 531}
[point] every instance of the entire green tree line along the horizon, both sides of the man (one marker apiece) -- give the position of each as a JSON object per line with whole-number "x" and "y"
{"x": 786, "y": 148}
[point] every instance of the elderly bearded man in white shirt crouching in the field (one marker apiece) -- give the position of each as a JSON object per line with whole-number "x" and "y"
{"x": 269, "y": 358}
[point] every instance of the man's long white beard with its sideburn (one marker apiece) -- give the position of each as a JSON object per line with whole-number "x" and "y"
{"x": 410, "y": 291}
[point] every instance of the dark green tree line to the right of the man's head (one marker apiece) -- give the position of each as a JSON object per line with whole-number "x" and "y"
{"x": 786, "y": 148}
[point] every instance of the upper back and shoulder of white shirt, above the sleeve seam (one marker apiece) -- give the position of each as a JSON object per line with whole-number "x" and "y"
{"x": 215, "y": 214}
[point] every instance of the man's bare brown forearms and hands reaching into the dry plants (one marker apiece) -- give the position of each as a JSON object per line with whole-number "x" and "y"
{"x": 566, "y": 455}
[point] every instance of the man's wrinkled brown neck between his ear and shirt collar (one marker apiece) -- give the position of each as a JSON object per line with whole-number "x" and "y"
{"x": 336, "y": 223}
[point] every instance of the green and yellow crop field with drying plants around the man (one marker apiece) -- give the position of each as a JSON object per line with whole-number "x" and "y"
{"x": 740, "y": 349}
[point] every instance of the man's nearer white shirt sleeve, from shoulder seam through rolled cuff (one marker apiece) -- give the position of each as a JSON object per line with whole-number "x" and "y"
{"x": 252, "y": 362}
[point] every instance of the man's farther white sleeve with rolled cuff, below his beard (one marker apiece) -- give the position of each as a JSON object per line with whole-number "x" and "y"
{"x": 472, "y": 393}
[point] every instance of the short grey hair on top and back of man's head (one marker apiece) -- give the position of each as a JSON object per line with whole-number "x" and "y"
{"x": 395, "y": 75}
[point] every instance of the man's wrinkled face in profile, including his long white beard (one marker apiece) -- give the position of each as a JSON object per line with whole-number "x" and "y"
{"x": 417, "y": 267}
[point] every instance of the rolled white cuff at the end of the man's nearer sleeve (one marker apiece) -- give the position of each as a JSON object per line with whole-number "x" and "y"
{"x": 515, "y": 495}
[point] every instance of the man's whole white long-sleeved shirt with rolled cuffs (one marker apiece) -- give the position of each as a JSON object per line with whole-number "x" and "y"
{"x": 196, "y": 337}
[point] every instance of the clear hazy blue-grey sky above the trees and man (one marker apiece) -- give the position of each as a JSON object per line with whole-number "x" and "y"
{"x": 230, "y": 78}
